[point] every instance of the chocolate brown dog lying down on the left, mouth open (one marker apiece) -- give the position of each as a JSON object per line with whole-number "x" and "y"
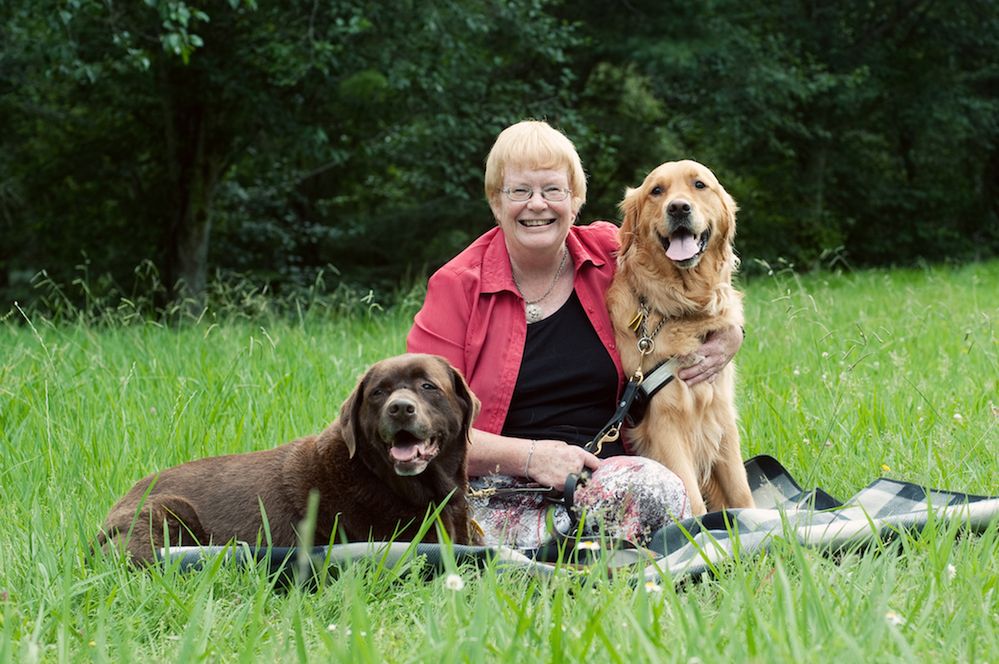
{"x": 397, "y": 451}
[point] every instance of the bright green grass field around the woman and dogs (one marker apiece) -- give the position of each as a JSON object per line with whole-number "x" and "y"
{"x": 841, "y": 376}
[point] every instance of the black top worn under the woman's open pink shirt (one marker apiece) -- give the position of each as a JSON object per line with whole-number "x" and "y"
{"x": 567, "y": 386}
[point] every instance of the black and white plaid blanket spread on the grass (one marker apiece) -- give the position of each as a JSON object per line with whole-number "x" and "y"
{"x": 687, "y": 548}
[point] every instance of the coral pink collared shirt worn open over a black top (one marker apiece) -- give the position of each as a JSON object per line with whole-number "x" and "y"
{"x": 473, "y": 314}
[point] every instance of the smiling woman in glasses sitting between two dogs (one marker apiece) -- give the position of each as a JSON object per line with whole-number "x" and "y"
{"x": 521, "y": 314}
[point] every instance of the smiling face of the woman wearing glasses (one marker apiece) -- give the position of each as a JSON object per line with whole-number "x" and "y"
{"x": 536, "y": 226}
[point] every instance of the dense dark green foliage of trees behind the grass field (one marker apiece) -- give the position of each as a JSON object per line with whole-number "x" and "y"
{"x": 281, "y": 139}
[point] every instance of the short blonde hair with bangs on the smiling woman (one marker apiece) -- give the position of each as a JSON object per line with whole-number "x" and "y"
{"x": 534, "y": 144}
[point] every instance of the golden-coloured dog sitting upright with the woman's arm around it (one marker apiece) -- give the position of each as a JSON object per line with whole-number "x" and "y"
{"x": 673, "y": 287}
